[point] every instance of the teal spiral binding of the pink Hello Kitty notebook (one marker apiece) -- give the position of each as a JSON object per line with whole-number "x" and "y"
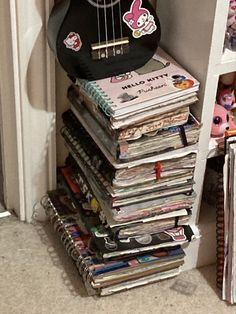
{"x": 99, "y": 96}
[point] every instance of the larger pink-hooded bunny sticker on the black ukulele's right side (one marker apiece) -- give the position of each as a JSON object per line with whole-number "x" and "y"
{"x": 139, "y": 20}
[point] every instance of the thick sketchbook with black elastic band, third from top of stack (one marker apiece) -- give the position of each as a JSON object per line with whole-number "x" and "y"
{"x": 148, "y": 145}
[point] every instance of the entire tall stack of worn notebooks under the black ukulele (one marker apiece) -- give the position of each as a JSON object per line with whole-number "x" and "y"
{"x": 132, "y": 145}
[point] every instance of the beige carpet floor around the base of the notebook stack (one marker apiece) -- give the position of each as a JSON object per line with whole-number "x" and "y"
{"x": 37, "y": 276}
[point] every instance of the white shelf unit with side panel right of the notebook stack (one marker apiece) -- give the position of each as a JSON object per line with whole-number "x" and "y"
{"x": 193, "y": 33}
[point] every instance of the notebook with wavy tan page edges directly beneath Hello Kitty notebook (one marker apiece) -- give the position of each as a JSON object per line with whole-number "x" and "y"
{"x": 136, "y": 125}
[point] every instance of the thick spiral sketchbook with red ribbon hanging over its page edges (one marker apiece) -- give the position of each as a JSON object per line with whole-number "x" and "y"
{"x": 145, "y": 178}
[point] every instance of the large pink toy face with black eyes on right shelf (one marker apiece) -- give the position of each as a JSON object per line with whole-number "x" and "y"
{"x": 220, "y": 121}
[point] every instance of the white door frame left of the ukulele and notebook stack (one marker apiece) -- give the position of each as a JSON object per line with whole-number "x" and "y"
{"x": 27, "y": 105}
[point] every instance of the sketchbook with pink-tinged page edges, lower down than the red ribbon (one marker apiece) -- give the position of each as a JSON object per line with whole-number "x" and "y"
{"x": 144, "y": 211}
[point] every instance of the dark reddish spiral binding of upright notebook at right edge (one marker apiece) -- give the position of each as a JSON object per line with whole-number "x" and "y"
{"x": 220, "y": 225}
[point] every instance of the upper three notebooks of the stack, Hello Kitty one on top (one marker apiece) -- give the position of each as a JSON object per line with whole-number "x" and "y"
{"x": 135, "y": 115}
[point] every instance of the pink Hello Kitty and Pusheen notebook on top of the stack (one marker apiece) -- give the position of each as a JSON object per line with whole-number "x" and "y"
{"x": 160, "y": 80}
